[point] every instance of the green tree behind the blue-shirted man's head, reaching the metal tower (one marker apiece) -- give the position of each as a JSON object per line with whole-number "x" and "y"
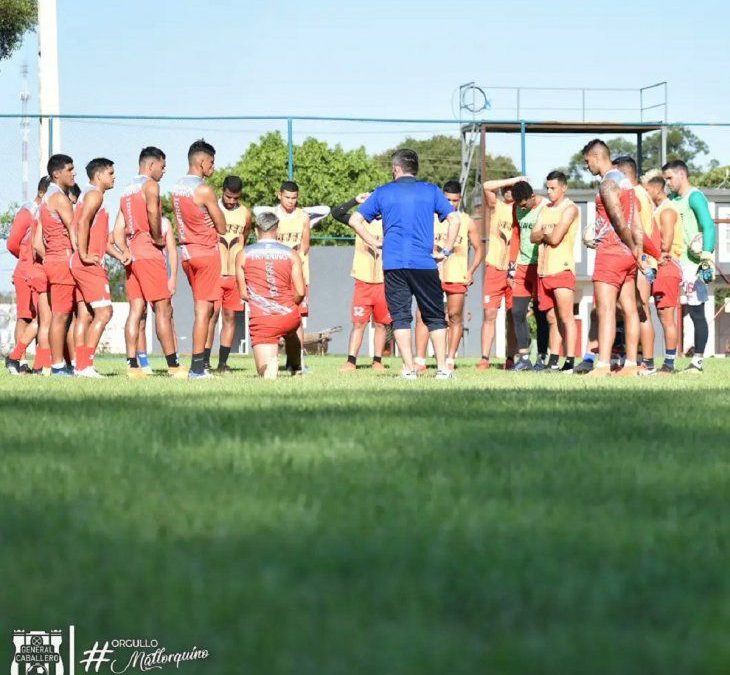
{"x": 440, "y": 159}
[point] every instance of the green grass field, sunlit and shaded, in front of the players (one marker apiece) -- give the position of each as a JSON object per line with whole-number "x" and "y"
{"x": 501, "y": 523}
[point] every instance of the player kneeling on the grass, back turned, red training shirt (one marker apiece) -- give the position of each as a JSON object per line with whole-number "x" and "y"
{"x": 270, "y": 278}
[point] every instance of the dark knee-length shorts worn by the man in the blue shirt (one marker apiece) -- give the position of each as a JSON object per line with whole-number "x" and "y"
{"x": 402, "y": 285}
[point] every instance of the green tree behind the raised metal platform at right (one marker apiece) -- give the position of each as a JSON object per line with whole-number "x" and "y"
{"x": 682, "y": 144}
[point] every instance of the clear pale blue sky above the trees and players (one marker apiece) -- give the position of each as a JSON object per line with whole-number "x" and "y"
{"x": 390, "y": 59}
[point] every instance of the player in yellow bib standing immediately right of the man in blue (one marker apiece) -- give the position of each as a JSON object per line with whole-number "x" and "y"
{"x": 456, "y": 277}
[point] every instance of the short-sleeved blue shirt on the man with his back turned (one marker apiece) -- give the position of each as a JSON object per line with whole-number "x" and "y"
{"x": 407, "y": 206}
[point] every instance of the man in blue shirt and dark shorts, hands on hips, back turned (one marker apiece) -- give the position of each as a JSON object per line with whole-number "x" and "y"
{"x": 407, "y": 207}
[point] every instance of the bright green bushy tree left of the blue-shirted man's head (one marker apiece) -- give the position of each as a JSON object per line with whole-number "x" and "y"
{"x": 325, "y": 175}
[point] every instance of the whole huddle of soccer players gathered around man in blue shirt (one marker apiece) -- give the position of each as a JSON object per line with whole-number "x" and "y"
{"x": 654, "y": 238}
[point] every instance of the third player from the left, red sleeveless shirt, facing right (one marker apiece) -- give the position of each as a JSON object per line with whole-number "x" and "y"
{"x": 87, "y": 262}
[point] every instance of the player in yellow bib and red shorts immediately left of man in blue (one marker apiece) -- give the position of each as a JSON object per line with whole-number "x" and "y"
{"x": 368, "y": 299}
